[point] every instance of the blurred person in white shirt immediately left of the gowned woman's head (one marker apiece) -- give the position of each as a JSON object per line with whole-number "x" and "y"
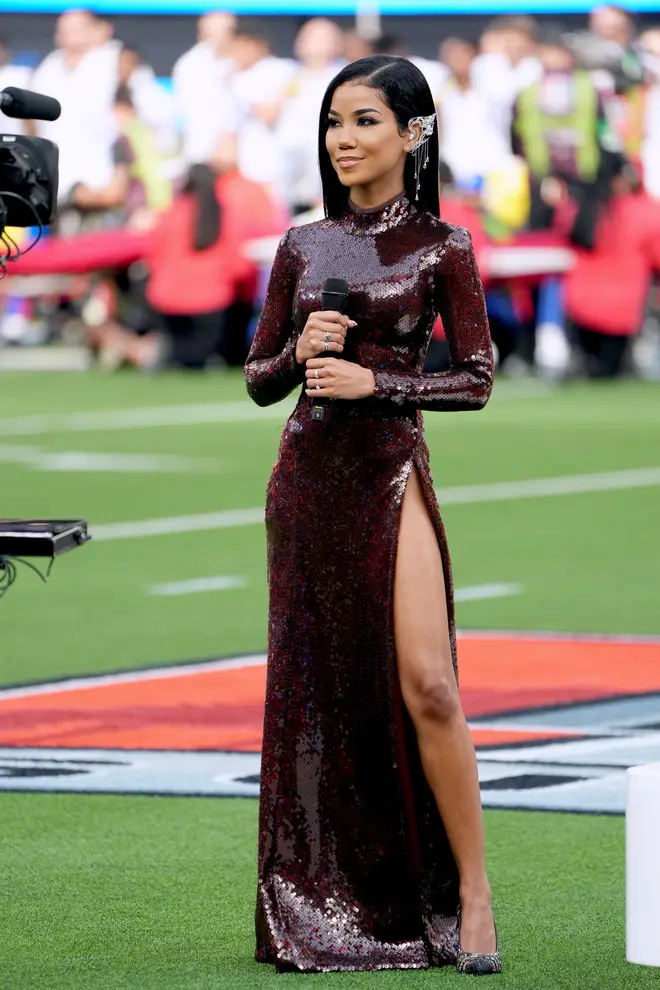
{"x": 318, "y": 49}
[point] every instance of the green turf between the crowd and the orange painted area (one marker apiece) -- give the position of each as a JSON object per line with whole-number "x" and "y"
{"x": 584, "y": 563}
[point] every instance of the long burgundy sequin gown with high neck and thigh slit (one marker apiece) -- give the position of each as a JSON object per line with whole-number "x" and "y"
{"x": 354, "y": 868}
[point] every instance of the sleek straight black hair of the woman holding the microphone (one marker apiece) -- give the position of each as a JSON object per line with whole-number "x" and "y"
{"x": 404, "y": 89}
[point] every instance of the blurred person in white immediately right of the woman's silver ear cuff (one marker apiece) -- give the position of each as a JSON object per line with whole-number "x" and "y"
{"x": 470, "y": 143}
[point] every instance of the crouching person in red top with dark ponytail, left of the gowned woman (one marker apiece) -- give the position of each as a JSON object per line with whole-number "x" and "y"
{"x": 201, "y": 283}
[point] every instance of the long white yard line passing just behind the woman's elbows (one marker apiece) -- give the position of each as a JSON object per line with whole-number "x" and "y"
{"x": 237, "y": 411}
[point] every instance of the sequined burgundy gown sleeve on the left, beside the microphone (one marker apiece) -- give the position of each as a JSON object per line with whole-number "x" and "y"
{"x": 271, "y": 369}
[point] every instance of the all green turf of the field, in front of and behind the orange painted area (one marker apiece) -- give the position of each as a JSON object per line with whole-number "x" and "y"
{"x": 114, "y": 892}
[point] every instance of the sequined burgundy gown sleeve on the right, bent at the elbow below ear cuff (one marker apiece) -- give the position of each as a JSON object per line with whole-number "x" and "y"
{"x": 459, "y": 299}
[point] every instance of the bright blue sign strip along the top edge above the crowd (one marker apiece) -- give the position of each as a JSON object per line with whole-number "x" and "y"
{"x": 312, "y": 7}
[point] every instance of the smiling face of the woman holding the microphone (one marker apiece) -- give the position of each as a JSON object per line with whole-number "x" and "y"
{"x": 363, "y": 138}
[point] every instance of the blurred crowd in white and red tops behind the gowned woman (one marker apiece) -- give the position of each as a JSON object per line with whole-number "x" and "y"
{"x": 541, "y": 130}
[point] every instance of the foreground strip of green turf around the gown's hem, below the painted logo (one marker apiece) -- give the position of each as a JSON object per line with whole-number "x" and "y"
{"x": 108, "y": 893}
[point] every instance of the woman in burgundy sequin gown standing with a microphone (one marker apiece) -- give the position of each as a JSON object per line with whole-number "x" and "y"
{"x": 357, "y": 867}
